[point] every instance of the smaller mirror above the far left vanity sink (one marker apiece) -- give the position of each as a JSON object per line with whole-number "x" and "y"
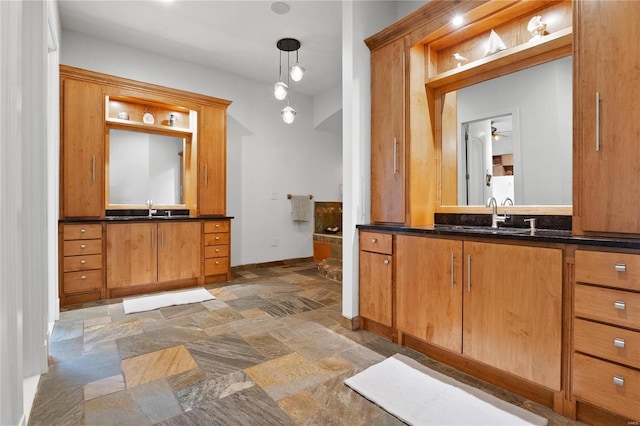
{"x": 145, "y": 166}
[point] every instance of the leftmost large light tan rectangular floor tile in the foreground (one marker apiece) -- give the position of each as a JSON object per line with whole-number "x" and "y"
{"x": 157, "y": 365}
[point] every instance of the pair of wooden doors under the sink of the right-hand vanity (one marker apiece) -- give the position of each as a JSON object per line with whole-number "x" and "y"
{"x": 499, "y": 304}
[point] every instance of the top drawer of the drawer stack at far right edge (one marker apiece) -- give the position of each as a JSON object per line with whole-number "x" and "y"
{"x": 621, "y": 270}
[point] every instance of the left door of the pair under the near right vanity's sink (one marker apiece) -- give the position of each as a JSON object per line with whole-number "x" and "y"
{"x": 429, "y": 290}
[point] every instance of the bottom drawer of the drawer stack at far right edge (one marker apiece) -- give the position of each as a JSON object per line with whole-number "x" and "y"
{"x": 595, "y": 381}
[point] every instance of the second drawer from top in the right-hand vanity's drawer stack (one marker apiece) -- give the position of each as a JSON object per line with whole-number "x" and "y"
{"x": 606, "y": 305}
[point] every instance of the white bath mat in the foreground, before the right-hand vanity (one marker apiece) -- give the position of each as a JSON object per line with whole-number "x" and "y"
{"x": 421, "y": 396}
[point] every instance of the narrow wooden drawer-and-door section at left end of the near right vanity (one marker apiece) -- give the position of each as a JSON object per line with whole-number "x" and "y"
{"x": 376, "y": 279}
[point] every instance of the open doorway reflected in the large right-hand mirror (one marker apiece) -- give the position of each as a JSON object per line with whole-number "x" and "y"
{"x": 489, "y": 160}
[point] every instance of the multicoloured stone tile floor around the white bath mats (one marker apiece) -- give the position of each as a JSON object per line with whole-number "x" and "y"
{"x": 268, "y": 351}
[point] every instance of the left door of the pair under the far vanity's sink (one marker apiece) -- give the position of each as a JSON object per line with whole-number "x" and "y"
{"x": 131, "y": 254}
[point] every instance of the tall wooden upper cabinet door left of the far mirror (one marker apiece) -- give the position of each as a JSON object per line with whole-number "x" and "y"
{"x": 82, "y": 149}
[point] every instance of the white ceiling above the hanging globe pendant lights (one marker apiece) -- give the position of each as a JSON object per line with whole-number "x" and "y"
{"x": 237, "y": 36}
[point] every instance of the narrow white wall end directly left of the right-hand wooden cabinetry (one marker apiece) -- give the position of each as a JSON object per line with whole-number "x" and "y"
{"x": 360, "y": 19}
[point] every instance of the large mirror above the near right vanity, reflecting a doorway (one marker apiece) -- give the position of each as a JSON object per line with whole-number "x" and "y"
{"x": 511, "y": 137}
